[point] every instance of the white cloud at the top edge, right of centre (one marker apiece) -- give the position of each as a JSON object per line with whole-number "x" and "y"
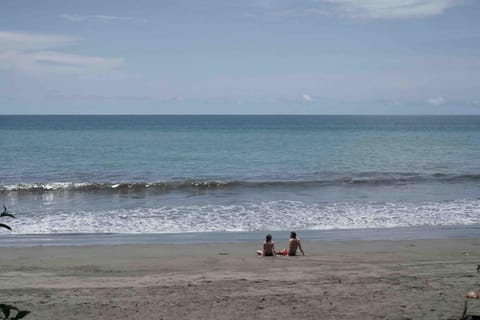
{"x": 378, "y": 9}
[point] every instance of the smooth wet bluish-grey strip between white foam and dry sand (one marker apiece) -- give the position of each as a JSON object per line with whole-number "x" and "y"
{"x": 86, "y": 239}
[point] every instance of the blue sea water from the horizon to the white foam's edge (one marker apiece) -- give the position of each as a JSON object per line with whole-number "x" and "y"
{"x": 186, "y": 174}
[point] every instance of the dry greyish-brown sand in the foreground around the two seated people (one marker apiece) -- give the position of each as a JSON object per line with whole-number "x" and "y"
{"x": 417, "y": 279}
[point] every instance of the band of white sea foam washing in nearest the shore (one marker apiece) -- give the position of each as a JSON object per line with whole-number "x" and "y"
{"x": 272, "y": 215}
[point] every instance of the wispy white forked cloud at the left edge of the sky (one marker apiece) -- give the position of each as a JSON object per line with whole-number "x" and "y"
{"x": 31, "y": 53}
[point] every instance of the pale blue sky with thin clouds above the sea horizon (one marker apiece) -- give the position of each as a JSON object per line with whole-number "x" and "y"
{"x": 240, "y": 57}
